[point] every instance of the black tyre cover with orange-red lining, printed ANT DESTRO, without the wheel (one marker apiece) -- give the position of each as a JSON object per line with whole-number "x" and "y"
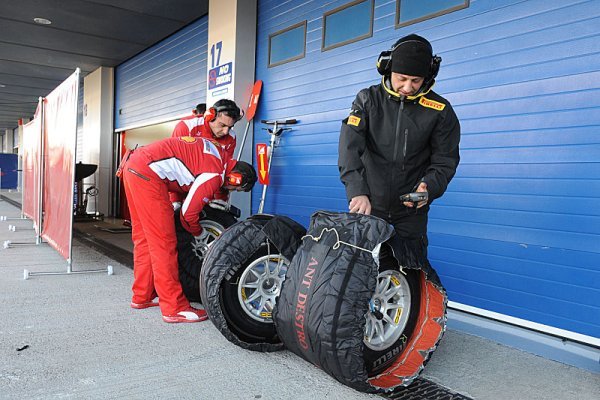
{"x": 320, "y": 313}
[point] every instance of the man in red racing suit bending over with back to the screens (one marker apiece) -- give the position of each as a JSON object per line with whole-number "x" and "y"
{"x": 180, "y": 165}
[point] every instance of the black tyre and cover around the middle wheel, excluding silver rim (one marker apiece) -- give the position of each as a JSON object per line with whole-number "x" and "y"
{"x": 242, "y": 244}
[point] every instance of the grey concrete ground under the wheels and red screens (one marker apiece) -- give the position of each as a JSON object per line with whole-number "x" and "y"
{"x": 84, "y": 342}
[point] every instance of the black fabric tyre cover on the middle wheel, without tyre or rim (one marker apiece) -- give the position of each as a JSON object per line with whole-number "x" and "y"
{"x": 230, "y": 251}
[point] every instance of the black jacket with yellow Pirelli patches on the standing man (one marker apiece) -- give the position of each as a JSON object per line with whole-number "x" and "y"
{"x": 388, "y": 146}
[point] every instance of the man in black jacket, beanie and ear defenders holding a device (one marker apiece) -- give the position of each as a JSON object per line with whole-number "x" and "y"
{"x": 400, "y": 137}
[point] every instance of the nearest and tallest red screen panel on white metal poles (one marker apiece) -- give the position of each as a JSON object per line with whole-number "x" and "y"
{"x": 60, "y": 133}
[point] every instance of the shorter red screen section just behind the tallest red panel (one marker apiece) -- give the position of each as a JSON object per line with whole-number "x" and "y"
{"x": 32, "y": 168}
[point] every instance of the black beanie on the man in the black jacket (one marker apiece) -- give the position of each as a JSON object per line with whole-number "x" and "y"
{"x": 412, "y": 56}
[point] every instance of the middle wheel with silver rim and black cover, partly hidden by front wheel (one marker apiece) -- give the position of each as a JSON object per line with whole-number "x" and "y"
{"x": 242, "y": 276}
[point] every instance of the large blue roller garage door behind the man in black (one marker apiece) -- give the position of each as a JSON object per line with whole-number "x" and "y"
{"x": 518, "y": 231}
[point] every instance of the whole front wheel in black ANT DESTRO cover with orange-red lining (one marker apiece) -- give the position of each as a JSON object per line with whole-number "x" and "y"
{"x": 349, "y": 307}
